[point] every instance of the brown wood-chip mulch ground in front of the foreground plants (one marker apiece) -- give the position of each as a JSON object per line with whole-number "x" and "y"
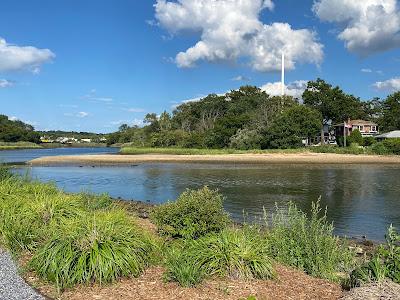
{"x": 291, "y": 284}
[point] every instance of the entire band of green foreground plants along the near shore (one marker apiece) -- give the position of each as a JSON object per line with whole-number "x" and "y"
{"x": 85, "y": 239}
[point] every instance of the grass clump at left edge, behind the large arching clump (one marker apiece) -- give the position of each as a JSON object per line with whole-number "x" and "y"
{"x": 30, "y": 211}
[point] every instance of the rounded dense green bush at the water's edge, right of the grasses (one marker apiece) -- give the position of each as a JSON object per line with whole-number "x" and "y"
{"x": 195, "y": 213}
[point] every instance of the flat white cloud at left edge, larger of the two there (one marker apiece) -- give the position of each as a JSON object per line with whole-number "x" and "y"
{"x": 14, "y": 58}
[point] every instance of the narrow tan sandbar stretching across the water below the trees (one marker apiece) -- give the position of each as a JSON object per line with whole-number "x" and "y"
{"x": 297, "y": 158}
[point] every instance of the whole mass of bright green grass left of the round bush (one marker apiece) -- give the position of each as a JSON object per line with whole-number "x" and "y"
{"x": 74, "y": 239}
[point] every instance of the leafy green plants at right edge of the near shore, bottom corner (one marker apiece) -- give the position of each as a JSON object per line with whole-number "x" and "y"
{"x": 384, "y": 264}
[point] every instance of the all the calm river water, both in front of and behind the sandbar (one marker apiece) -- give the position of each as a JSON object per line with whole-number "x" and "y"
{"x": 361, "y": 199}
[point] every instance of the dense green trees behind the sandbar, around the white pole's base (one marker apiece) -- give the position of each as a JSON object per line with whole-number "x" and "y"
{"x": 249, "y": 118}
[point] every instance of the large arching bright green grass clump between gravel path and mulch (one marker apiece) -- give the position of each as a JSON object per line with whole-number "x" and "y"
{"x": 99, "y": 247}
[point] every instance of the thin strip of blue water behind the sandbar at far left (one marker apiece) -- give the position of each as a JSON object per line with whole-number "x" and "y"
{"x": 8, "y": 156}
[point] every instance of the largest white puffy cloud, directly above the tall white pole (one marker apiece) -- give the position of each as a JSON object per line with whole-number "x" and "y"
{"x": 232, "y": 29}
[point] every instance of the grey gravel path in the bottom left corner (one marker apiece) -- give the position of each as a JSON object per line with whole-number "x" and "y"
{"x": 12, "y": 286}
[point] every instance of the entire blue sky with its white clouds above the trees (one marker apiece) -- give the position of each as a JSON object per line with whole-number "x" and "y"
{"x": 92, "y": 65}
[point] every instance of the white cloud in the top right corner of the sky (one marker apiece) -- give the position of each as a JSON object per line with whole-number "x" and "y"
{"x": 367, "y": 26}
